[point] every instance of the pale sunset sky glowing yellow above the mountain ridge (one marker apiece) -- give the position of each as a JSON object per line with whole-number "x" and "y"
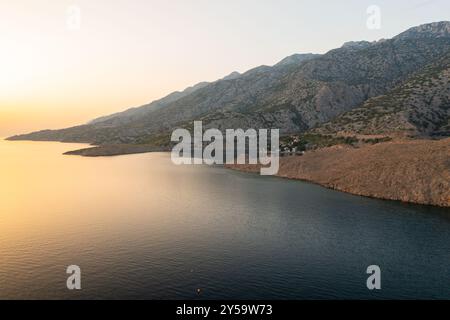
{"x": 63, "y": 63}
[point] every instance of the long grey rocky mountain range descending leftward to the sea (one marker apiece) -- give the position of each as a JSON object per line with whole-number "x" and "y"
{"x": 297, "y": 94}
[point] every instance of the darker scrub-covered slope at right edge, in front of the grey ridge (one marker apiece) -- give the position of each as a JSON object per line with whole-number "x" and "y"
{"x": 420, "y": 107}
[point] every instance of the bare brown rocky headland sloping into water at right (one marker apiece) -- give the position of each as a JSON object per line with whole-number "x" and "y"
{"x": 415, "y": 171}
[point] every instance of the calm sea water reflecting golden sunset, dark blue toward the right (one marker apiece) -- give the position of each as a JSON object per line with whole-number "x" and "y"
{"x": 140, "y": 227}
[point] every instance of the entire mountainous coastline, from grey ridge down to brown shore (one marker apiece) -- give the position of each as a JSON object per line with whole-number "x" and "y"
{"x": 373, "y": 118}
